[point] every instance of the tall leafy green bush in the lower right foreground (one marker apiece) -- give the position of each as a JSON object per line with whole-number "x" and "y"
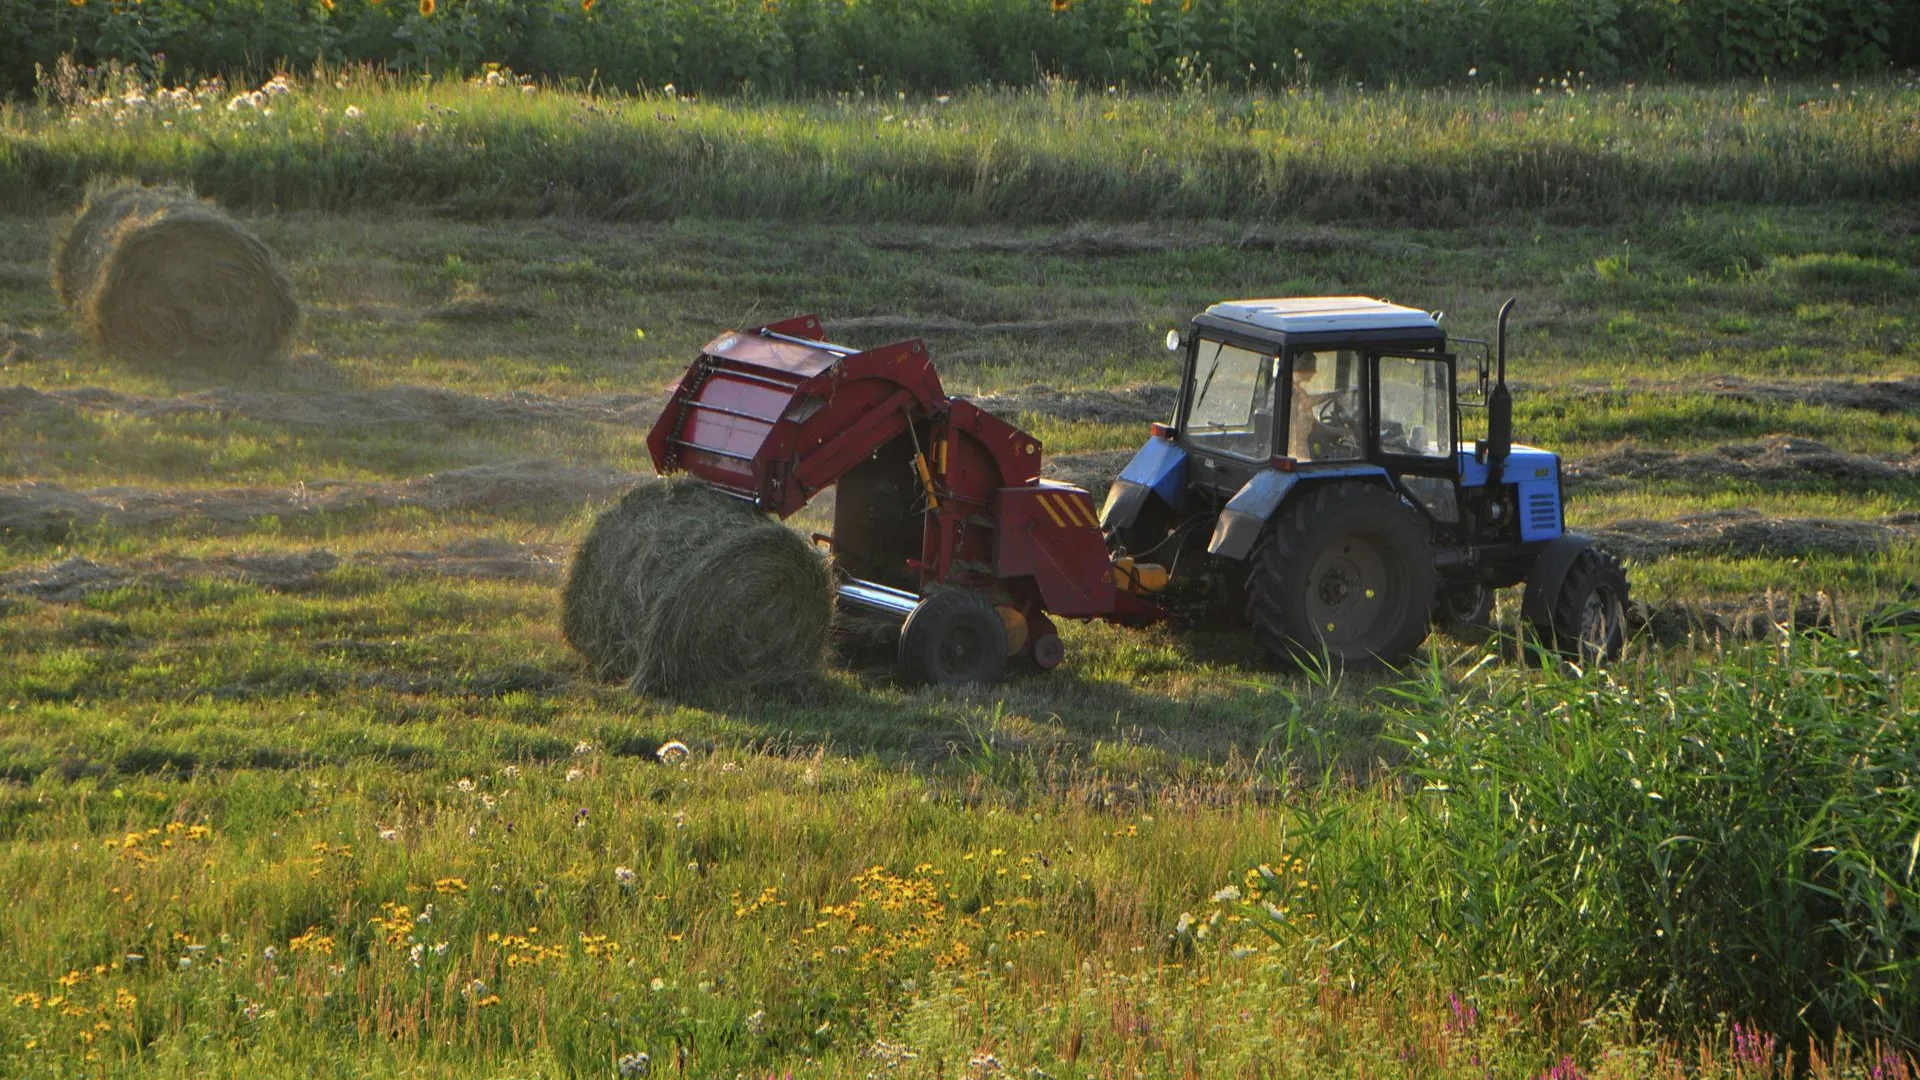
{"x": 1737, "y": 841}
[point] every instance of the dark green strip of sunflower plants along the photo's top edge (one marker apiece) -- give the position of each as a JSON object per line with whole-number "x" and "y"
{"x": 944, "y": 45}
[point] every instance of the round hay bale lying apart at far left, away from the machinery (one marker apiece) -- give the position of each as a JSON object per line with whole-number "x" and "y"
{"x": 156, "y": 276}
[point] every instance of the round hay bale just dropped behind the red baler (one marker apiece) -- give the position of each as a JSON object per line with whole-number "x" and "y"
{"x": 681, "y": 589}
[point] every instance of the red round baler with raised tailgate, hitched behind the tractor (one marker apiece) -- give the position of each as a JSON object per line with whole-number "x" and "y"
{"x": 940, "y": 510}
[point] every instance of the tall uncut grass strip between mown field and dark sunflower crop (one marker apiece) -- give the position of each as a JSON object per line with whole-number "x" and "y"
{"x": 1057, "y": 155}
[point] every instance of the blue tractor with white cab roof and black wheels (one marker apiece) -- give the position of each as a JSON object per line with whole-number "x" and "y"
{"x": 1318, "y": 478}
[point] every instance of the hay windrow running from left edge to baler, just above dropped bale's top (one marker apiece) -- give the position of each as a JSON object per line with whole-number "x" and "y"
{"x": 41, "y": 510}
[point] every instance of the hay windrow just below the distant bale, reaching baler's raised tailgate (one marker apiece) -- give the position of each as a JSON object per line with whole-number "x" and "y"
{"x": 350, "y": 408}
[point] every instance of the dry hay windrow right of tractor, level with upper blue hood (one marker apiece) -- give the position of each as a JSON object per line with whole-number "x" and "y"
{"x": 1775, "y": 460}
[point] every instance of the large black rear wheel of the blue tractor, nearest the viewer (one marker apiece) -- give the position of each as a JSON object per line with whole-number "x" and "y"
{"x": 1349, "y": 576}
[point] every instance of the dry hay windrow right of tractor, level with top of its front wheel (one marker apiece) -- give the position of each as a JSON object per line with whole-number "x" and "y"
{"x": 1752, "y": 533}
